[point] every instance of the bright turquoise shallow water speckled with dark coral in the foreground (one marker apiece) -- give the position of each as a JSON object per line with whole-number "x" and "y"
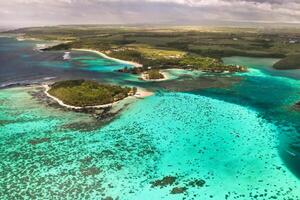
{"x": 188, "y": 136}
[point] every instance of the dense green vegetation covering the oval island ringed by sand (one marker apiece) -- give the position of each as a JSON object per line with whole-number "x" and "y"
{"x": 88, "y": 93}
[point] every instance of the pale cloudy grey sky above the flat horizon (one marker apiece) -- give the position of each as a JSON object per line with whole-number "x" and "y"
{"x": 51, "y": 12}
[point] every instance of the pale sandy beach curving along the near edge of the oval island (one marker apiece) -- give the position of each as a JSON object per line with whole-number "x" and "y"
{"x": 141, "y": 93}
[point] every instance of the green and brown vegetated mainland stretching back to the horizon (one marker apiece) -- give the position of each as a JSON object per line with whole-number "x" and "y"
{"x": 198, "y": 48}
